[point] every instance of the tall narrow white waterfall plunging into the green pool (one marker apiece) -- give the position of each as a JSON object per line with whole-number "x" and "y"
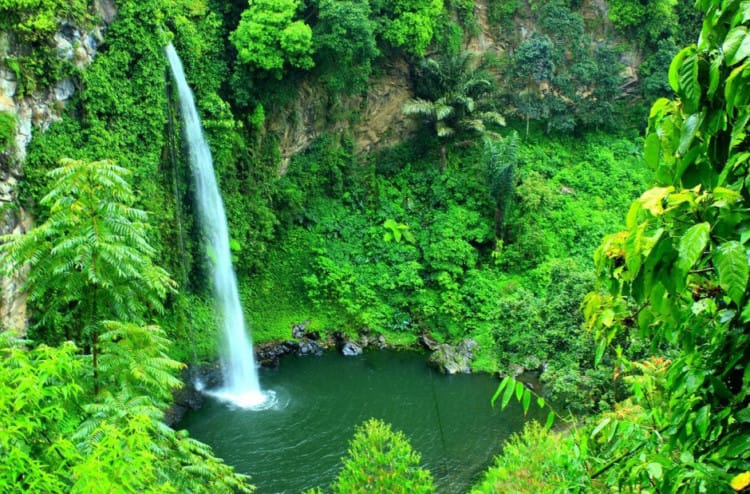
{"x": 241, "y": 386}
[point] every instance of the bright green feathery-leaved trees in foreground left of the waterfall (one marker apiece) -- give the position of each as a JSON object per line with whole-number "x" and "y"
{"x": 93, "y": 421}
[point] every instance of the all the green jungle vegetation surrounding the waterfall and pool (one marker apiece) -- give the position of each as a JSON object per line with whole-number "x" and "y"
{"x": 481, "y": 221}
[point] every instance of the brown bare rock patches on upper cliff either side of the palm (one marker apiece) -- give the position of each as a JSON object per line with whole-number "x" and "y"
{"x": 380, "y": 121}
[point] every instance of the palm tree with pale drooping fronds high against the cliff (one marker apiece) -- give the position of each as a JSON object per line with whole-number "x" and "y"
{"x": 453, "y": 97}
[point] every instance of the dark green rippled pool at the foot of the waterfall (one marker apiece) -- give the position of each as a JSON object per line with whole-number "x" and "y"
{"x": 299, "y": 442}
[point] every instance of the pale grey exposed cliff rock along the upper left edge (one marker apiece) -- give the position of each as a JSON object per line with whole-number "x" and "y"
{"x": 34, "y": 113}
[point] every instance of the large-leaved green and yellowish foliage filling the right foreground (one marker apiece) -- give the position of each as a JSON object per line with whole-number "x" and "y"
{"x": 678, "y": 276}
